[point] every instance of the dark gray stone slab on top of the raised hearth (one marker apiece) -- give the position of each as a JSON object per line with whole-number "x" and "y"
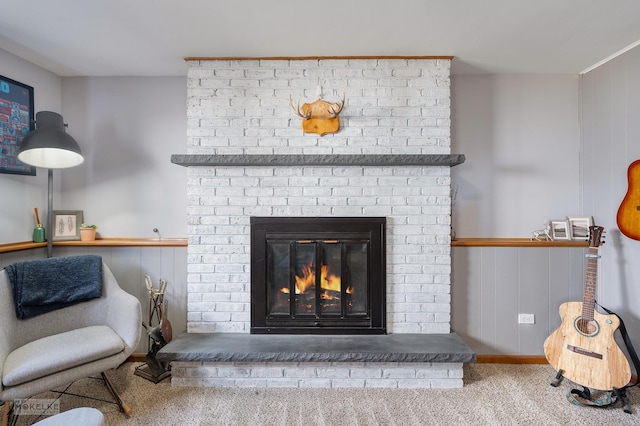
{"x": 242, "y": 347}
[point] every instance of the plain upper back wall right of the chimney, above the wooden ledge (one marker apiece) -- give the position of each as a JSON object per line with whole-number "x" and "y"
{"x": 521, "y": 138}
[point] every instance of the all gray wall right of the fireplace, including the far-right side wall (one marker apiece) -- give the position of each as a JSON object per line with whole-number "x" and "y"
{"x": 492, "y": 285}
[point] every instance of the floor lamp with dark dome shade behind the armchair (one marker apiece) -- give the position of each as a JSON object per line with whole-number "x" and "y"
{"x": 50, "y": 147}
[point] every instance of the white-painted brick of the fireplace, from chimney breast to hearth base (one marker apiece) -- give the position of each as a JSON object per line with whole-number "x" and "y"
{"x": 395, "y": 107}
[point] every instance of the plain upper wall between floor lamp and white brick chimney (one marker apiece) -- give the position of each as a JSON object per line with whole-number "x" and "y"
{"x": 128, "y": 127}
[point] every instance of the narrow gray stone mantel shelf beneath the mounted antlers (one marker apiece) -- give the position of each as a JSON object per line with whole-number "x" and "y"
{"x": 207, "y": 160}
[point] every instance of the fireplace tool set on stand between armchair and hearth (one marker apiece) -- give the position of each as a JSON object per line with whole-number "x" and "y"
{"x": 158, "y": 335}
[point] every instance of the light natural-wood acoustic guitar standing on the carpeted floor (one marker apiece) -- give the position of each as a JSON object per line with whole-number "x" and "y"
{"x": 583, "y": 347}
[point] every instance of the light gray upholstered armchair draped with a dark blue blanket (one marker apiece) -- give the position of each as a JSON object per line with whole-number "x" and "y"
{"x": 58, "y": 347}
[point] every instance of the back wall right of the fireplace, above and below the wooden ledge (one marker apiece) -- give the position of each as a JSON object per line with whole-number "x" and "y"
{"x": 520, "y": 134}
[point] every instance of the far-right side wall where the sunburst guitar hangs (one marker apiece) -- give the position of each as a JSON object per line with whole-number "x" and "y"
{"x": 610, "y": 143}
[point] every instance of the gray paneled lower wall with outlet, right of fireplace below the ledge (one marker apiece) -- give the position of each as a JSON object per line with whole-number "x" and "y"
{"x": 492, "y": 285}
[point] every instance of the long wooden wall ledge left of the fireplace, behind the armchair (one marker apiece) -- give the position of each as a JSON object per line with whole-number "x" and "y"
{"x": 100, "y": 242}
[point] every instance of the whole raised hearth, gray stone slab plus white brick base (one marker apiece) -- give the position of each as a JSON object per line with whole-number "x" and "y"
{"x": 247, "y": 360}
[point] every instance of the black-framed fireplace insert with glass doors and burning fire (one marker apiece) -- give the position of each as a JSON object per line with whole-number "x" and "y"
{"x": 318, "y": 275}
